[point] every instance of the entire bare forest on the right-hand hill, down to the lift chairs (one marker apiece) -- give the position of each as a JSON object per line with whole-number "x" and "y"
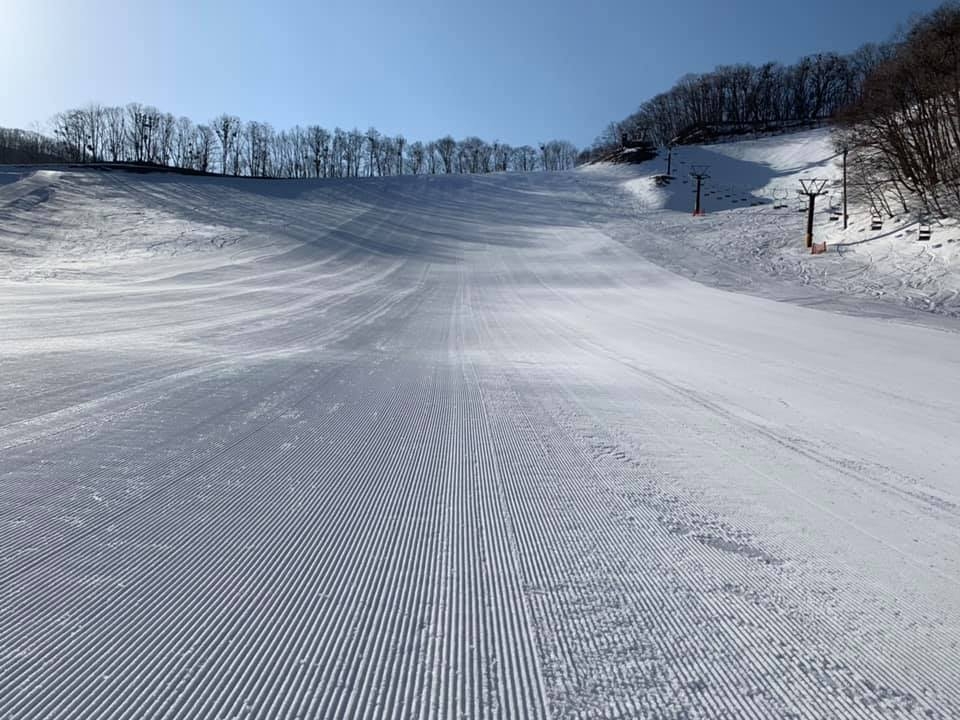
{"x": 894, "y": 108}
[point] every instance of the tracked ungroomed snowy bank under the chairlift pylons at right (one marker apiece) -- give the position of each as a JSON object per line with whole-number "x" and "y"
{"x": 745, "y": 242}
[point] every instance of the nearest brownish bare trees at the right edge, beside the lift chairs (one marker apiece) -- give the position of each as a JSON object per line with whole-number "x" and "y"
{"x": 902, "y": 133}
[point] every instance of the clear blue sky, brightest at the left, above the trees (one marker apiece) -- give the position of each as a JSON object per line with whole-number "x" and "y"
{"x": 519, "y": 71}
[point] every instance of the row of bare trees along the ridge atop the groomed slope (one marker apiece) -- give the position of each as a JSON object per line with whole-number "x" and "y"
{"x": 227, "y": 145}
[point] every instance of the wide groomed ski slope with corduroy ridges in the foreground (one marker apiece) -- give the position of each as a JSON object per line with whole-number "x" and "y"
{"x": 447, "y": 447}
